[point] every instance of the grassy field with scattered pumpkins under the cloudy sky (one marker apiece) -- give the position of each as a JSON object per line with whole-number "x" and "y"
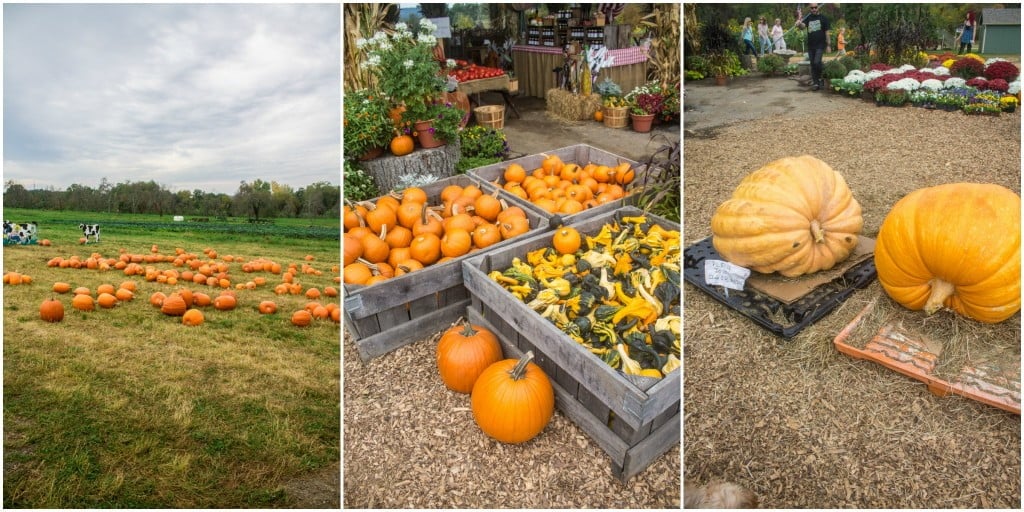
{"x": 130, "y": 408}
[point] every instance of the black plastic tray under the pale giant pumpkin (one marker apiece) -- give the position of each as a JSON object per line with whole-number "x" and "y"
{"x": 764, "y": 310}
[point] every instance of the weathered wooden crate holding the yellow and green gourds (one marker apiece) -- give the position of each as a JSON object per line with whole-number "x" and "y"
{"x": 633, "y": 425}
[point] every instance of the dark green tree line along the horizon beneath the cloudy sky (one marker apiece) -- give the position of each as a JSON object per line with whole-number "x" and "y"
{"x": 259, "y": 199}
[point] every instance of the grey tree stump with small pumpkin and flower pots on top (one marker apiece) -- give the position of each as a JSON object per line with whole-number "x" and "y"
{"x": 418, "y": 168}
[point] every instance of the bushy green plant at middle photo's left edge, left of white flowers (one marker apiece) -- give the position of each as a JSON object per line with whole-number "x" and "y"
{"x": 368, "y": 127}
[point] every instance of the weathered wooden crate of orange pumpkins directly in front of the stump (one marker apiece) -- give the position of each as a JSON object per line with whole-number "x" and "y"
{"x": 401, "y": 311}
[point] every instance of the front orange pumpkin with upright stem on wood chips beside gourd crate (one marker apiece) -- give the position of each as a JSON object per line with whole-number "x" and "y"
{"x": 514, "y": 401}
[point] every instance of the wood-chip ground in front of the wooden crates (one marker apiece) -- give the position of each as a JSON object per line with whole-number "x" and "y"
{"x": 410, "y": 443}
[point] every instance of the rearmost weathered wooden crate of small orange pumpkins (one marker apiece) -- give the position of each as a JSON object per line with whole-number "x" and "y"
{"x": 579, "y": 154}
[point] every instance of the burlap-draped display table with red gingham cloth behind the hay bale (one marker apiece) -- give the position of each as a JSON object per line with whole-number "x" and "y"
{"x": 534, "y": 66}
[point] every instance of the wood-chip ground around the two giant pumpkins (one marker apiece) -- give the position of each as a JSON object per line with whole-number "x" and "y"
{"x": 797, "y": 422}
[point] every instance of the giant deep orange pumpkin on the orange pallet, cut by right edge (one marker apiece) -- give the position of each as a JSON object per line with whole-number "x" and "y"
{"x": 956, "y": 245}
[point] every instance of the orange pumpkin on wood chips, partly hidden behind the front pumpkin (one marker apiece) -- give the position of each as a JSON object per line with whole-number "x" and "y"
{"x": 463, "y": 354}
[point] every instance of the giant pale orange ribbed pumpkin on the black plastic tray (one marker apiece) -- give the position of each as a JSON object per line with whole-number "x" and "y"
{"x": 795, "y": 217}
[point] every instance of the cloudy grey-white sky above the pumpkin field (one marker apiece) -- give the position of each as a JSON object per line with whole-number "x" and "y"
{"x": 188, "y": 96}
